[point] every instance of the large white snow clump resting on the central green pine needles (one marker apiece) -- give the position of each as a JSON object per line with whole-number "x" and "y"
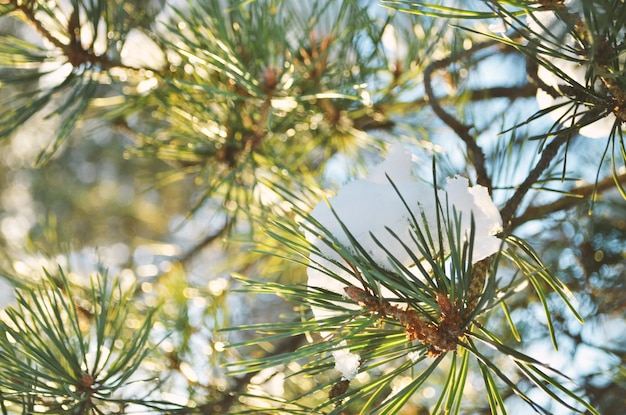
{"x": 372, "y": 205}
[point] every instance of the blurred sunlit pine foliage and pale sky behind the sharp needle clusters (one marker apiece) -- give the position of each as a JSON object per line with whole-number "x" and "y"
{"x": 154, "y": 140}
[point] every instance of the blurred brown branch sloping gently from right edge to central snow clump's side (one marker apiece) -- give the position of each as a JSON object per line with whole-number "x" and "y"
{"x": 577, "y": 196}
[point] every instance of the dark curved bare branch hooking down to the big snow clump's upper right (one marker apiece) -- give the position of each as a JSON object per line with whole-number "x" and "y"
{"x": 461, "y": 130}
